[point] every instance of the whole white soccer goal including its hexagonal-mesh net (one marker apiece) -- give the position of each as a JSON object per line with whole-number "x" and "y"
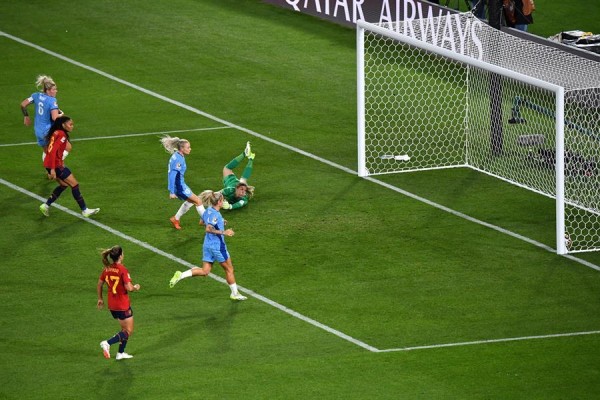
{"x": 451, "y": 91}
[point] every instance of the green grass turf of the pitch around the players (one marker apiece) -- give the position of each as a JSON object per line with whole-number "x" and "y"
{"x": 365, "y": 261}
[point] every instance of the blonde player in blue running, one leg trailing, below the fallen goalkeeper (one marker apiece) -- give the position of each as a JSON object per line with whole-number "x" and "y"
{"x": 214, "y": 248}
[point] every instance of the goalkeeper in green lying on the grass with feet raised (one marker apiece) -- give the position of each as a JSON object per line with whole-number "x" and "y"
{"x": 236, "y": 191}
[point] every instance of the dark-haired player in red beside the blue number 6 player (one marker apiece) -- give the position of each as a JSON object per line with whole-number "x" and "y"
{"x": 58, "y": 141}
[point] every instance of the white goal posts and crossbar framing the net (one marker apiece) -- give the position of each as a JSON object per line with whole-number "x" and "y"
{"x": 559, "y": 93}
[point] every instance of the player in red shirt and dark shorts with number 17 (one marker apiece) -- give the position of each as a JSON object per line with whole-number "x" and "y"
{"x": 117, "y": 279}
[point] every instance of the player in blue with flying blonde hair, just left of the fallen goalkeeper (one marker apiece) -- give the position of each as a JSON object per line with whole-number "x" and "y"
{"x": 179, "y": 149}
